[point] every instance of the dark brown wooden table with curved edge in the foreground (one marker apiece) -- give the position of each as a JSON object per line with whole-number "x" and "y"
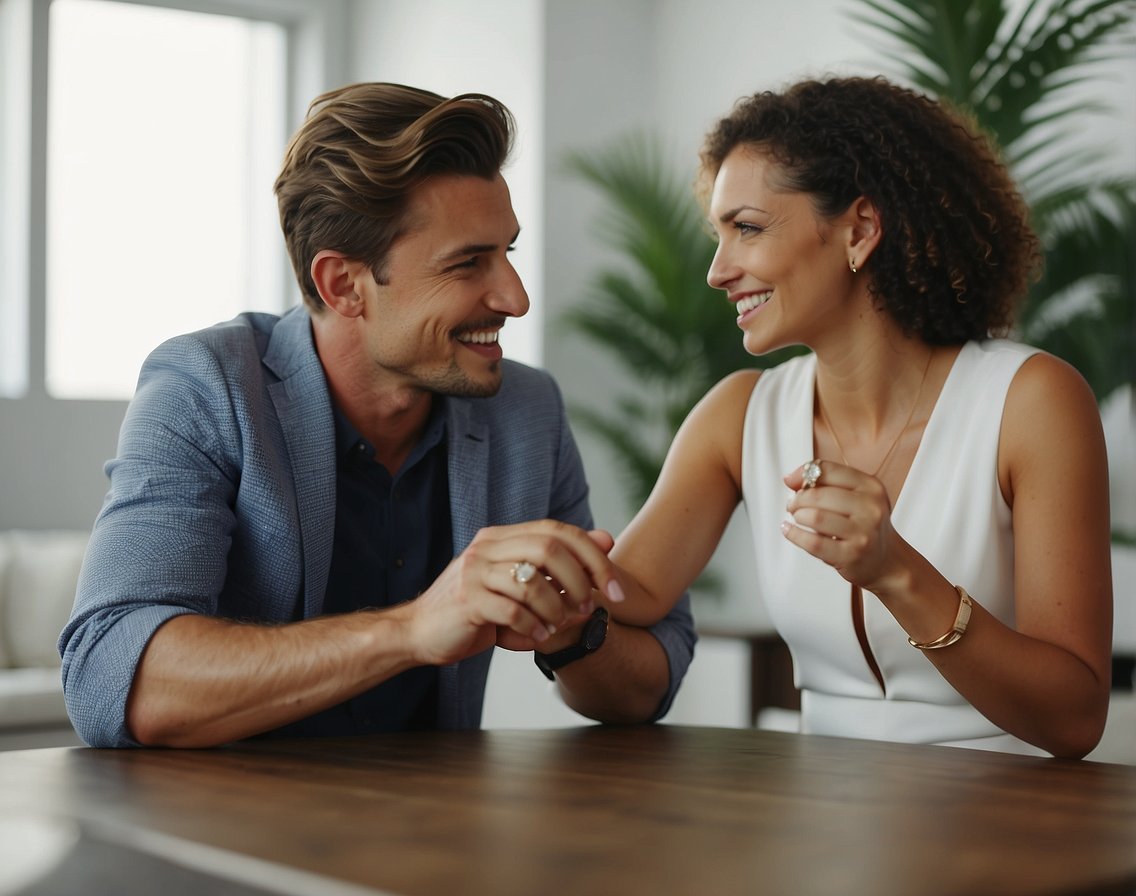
{"x": 645, "y": 810}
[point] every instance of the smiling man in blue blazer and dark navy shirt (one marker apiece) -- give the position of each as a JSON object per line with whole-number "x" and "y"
{"x": 322, "y": 524}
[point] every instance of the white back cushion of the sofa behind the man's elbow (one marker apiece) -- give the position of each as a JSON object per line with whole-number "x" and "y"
{"x": 38, "y": 590}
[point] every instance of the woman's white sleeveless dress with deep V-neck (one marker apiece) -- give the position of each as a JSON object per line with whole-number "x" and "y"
{"x": 951, "y": 510}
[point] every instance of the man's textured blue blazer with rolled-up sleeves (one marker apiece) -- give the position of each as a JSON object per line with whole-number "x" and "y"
{"x": 222, "y": 503}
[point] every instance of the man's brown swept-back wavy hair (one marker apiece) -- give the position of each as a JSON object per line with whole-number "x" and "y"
{"x": 363, "y": 149}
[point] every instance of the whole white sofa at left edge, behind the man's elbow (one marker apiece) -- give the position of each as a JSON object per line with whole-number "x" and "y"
{"x": 38, "y": 576}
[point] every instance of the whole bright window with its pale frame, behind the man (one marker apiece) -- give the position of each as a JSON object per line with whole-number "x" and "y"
{"x": 156, "y": 132}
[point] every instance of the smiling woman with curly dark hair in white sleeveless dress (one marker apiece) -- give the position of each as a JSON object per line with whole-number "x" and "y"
{"x": 929, "y": 505}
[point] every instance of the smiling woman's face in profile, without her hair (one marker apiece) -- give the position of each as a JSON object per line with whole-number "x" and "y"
{"x": 784, "y": 269}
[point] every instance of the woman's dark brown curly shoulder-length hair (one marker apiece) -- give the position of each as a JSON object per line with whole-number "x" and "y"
{"x": 957, "y": 253}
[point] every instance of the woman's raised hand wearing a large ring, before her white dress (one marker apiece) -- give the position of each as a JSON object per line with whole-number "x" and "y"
{"x": 846, "y": 521}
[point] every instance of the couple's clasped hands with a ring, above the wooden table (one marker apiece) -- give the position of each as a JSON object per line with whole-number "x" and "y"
{"x": 490, "y": 596}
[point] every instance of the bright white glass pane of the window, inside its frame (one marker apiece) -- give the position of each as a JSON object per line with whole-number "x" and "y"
{"x": 165, "y": 130}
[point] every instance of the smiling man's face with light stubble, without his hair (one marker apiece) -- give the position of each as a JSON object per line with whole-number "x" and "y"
{"x": 450, "y": 287}
